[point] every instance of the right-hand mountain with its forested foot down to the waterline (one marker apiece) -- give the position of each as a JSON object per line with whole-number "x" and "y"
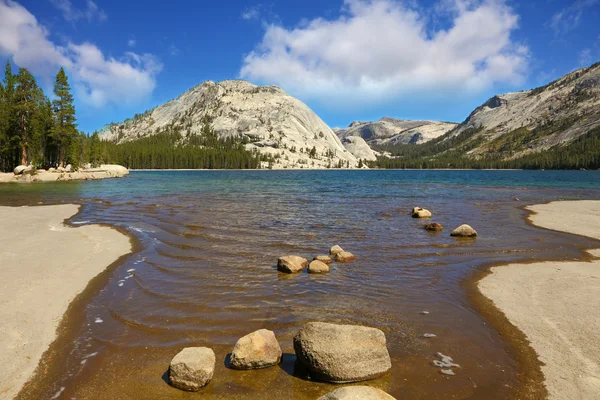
{"x": 553, "y": 126}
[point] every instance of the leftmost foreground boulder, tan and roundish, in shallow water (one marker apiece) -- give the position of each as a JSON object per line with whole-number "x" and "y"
{"x": 192, "y": 368}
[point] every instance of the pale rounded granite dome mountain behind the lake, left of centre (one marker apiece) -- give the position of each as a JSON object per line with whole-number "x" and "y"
{"x": 265, "y": 118}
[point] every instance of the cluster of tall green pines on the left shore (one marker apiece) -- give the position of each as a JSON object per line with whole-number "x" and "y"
{"x": 37, "y": 131}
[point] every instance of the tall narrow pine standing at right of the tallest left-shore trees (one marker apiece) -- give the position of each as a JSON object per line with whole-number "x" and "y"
{"x": 64, "y": 129}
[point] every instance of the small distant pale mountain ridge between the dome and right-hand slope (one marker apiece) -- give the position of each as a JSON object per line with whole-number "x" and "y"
{"x": 391, "y": 131}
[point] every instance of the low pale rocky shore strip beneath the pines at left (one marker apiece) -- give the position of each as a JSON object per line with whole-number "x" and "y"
{"x": 26, "y": 174}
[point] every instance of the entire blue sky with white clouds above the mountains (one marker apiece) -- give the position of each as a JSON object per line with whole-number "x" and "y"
{"x": 347, "y": 59}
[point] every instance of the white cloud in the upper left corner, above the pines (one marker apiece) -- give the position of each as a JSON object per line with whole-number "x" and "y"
{"x": 98, "y": 80}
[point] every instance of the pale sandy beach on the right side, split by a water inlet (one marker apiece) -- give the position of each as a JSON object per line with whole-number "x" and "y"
{"x": 557, "y": 304}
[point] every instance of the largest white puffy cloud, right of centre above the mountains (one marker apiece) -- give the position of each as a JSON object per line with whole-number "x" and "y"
{"x": 381, "y": 49}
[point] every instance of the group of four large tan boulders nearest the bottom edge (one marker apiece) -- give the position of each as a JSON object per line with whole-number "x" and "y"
{"x": 329, "y": 352}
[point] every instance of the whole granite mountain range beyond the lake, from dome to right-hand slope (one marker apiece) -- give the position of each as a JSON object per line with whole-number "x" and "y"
{"x": 270, "y": 122}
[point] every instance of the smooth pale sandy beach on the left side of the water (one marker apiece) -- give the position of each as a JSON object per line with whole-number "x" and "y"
{"x": 45, "y": 265}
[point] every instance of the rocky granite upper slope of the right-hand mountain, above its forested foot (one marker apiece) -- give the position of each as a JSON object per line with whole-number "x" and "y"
{"x": 516, "y": 124}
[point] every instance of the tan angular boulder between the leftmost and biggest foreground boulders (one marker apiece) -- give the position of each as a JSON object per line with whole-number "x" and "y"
{"x": 256, "y": 350}
